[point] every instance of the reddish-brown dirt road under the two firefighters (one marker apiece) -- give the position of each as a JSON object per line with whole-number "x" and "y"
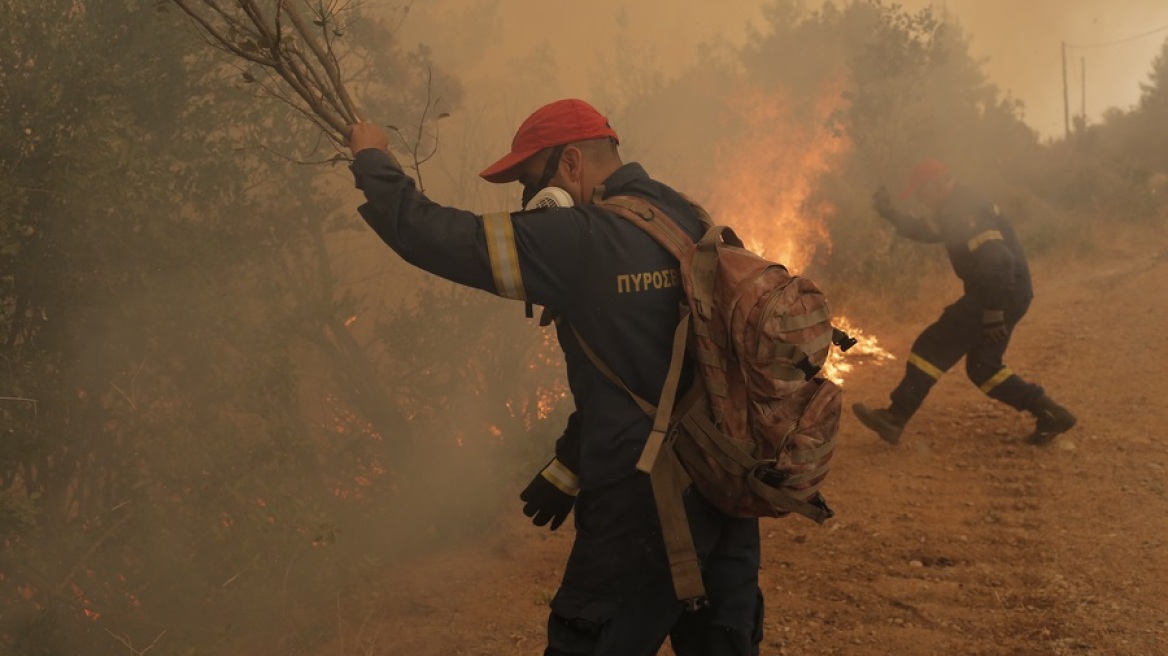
{"x": 962, "y": 541}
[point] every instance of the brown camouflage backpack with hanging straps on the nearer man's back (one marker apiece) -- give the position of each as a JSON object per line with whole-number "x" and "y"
{"x": 756, "y": 431}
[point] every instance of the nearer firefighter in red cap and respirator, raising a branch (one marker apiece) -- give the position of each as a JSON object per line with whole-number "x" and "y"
{"x": 611, "y": 285}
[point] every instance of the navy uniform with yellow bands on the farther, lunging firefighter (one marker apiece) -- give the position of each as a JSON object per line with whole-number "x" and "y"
{"x": 990, "y": 261}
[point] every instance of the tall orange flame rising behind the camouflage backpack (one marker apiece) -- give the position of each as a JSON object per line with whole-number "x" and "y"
{"x": 767, "y": 177}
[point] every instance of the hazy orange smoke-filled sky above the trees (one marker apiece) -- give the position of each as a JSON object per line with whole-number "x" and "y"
{"x": 1020, "y": 41}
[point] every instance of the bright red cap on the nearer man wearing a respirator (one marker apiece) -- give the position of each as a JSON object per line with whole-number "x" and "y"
{"x": 555, "y": 124}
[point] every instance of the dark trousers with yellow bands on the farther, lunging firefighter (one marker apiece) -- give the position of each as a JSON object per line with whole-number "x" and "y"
{"x": 955, "y": 336}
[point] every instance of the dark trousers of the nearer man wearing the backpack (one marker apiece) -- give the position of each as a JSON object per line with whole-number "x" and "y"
{"x": 617, "y": 596}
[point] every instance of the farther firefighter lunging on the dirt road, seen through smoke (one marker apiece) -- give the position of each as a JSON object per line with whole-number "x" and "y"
{"x": 989, "y": 259}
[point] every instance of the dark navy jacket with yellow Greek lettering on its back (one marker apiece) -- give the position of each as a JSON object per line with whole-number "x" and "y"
{"x": 602, "y": 276}
